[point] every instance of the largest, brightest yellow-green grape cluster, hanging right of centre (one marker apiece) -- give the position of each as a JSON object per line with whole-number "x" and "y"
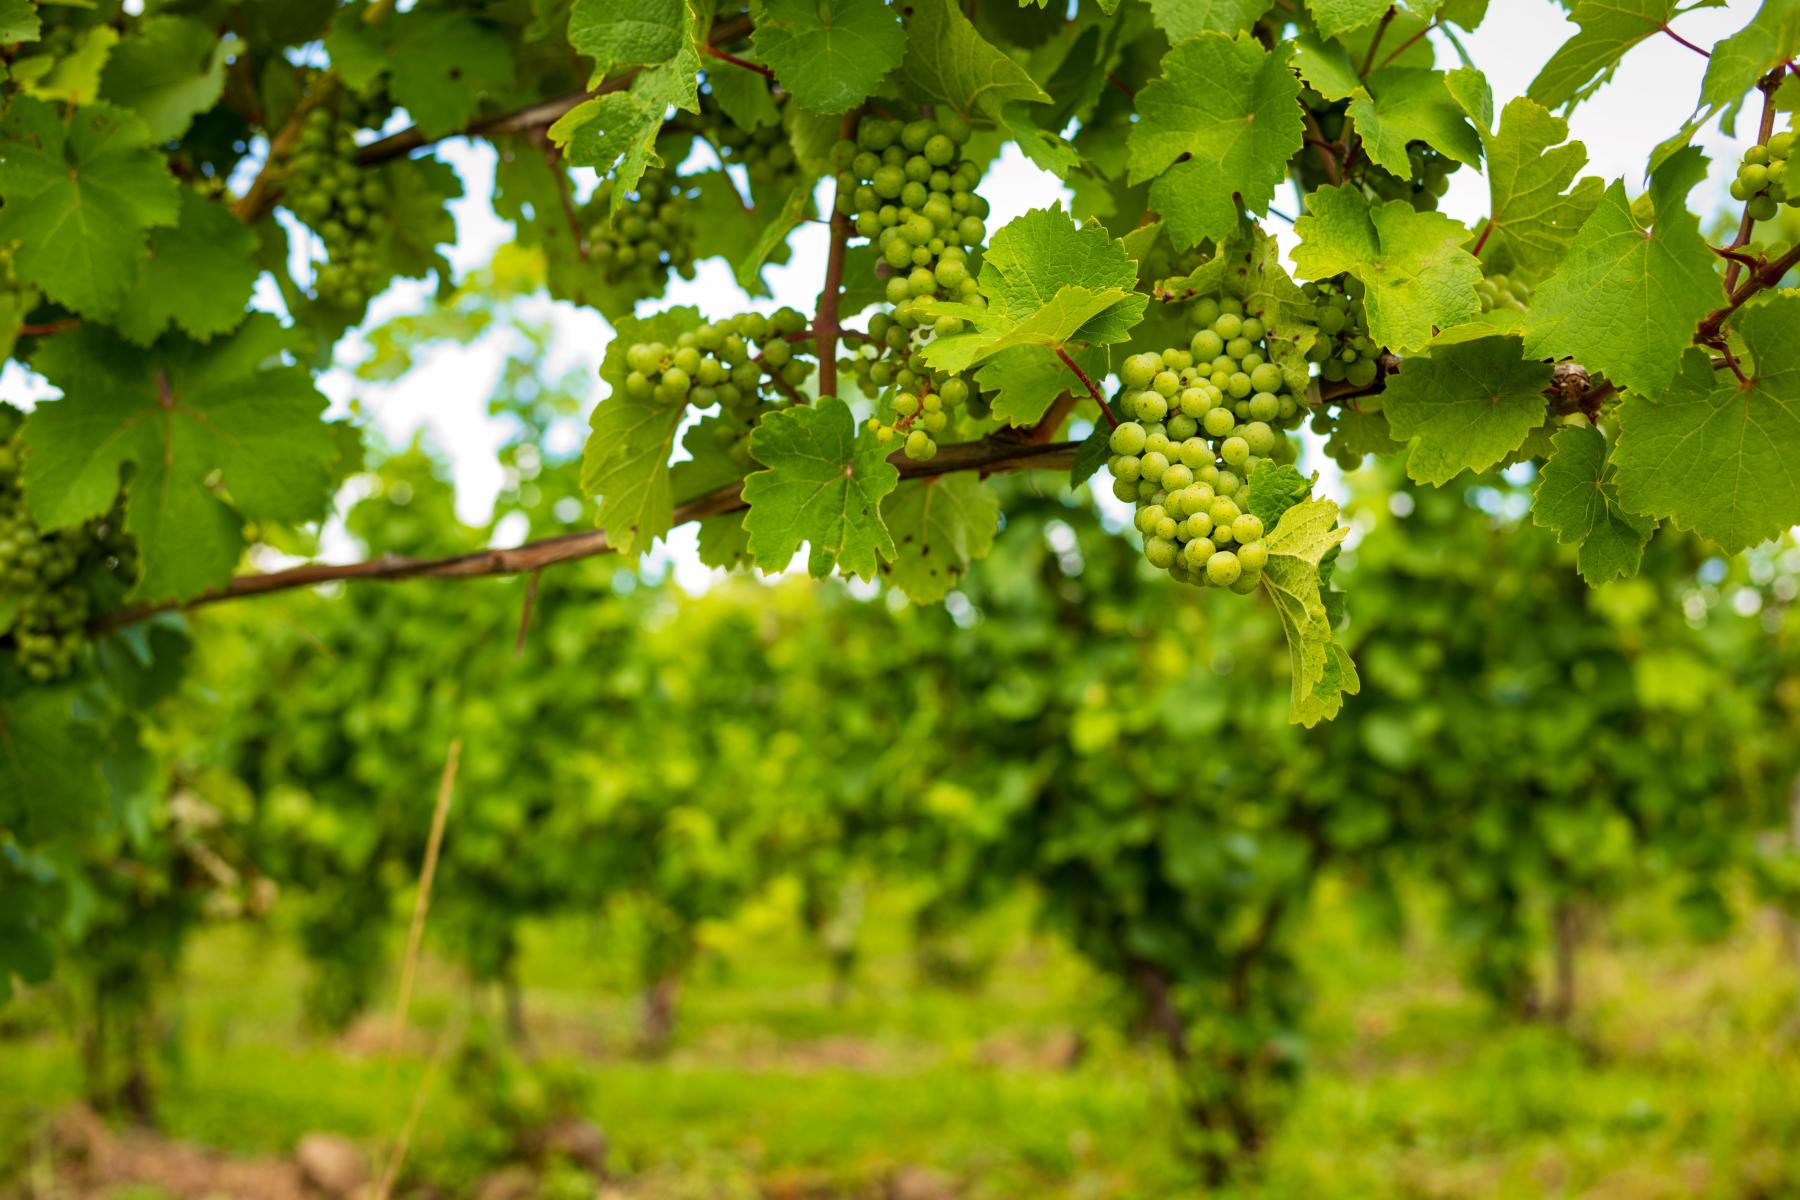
{"x": 1201, "y": 422}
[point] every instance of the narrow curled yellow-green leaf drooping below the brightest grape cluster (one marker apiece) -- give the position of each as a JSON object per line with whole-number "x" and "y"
{"x": 1322, "y": 672}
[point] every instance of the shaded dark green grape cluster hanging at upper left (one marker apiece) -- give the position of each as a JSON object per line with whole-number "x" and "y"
{"x": 341, "y": 202}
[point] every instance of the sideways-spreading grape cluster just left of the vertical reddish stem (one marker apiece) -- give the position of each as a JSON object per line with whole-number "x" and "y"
{"x": 730, "y": 364}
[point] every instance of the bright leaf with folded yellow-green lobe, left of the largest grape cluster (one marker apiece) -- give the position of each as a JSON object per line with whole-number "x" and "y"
{"x": 1050, "y": 287}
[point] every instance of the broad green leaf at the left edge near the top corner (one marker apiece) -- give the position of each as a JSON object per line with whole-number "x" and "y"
{"x": 80, "y": 201}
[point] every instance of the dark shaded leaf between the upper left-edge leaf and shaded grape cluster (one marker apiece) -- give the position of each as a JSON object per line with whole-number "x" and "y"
{"x": 199, "y": 276}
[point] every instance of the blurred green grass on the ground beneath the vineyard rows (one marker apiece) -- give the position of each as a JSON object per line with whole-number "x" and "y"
{"x": 1678, "y": 1079}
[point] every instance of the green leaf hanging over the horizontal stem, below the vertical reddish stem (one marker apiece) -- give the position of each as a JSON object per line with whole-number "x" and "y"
{"x": 825, "y": 487}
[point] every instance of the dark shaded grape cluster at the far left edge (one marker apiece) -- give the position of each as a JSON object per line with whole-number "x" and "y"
{"x": 44, "y": 604}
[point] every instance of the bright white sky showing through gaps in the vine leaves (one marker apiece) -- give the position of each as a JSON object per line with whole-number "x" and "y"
{"x": 447, "y": 395}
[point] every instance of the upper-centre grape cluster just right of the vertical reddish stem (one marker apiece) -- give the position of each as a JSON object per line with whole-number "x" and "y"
{"x": 910, "y": 192}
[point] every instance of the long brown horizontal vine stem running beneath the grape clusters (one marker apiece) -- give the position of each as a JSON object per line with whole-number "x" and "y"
{"x": 989, "y": 456}
